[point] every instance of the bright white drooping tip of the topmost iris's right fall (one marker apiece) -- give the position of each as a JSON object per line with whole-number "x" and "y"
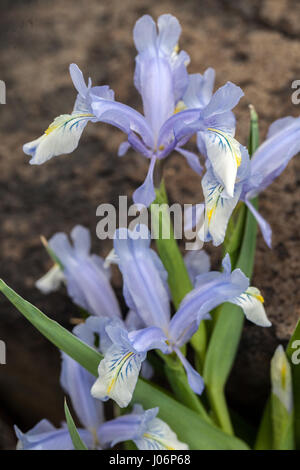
{"x": 225, "y": 156}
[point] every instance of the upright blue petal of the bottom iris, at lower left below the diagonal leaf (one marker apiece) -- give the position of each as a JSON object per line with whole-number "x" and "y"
{"x": 77, "y": 383}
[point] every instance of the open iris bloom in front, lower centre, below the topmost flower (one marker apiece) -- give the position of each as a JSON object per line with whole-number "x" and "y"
{"x": 146, "y": 293}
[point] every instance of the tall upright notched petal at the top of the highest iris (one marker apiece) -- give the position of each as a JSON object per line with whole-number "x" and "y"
{"x": 160, "y": 74}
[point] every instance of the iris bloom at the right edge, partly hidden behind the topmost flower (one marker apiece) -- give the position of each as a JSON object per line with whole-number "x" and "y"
{"x": 253, "y": 176}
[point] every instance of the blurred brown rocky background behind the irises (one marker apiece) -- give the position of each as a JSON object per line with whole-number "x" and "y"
{"x": 255, "y": 44}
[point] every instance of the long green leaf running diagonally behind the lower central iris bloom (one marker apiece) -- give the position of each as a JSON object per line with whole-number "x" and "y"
{"x": 188, "y": 425}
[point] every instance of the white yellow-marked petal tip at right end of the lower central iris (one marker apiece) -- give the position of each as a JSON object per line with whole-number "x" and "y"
{"x": 251, "y": 302}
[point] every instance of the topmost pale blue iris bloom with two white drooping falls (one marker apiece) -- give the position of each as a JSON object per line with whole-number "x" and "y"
{"x": 162, "y": 81}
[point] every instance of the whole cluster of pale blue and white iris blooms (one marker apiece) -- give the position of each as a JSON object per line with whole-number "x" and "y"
{"x": 176, "y": 106}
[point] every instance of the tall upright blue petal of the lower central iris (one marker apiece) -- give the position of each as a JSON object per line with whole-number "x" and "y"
{"x": 142, "y": 276}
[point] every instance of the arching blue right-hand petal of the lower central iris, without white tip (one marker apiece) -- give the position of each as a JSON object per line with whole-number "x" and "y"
{"x": 211, "y": 290}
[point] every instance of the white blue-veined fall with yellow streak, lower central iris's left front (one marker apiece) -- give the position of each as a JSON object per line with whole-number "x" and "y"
{"x": 118, "y": 374}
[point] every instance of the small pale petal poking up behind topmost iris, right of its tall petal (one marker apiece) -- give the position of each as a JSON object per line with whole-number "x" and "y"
{"x": 200, "y": 89}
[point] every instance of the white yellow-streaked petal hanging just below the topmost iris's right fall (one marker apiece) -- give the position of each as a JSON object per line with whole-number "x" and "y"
{"x": 217, "y": 209}
